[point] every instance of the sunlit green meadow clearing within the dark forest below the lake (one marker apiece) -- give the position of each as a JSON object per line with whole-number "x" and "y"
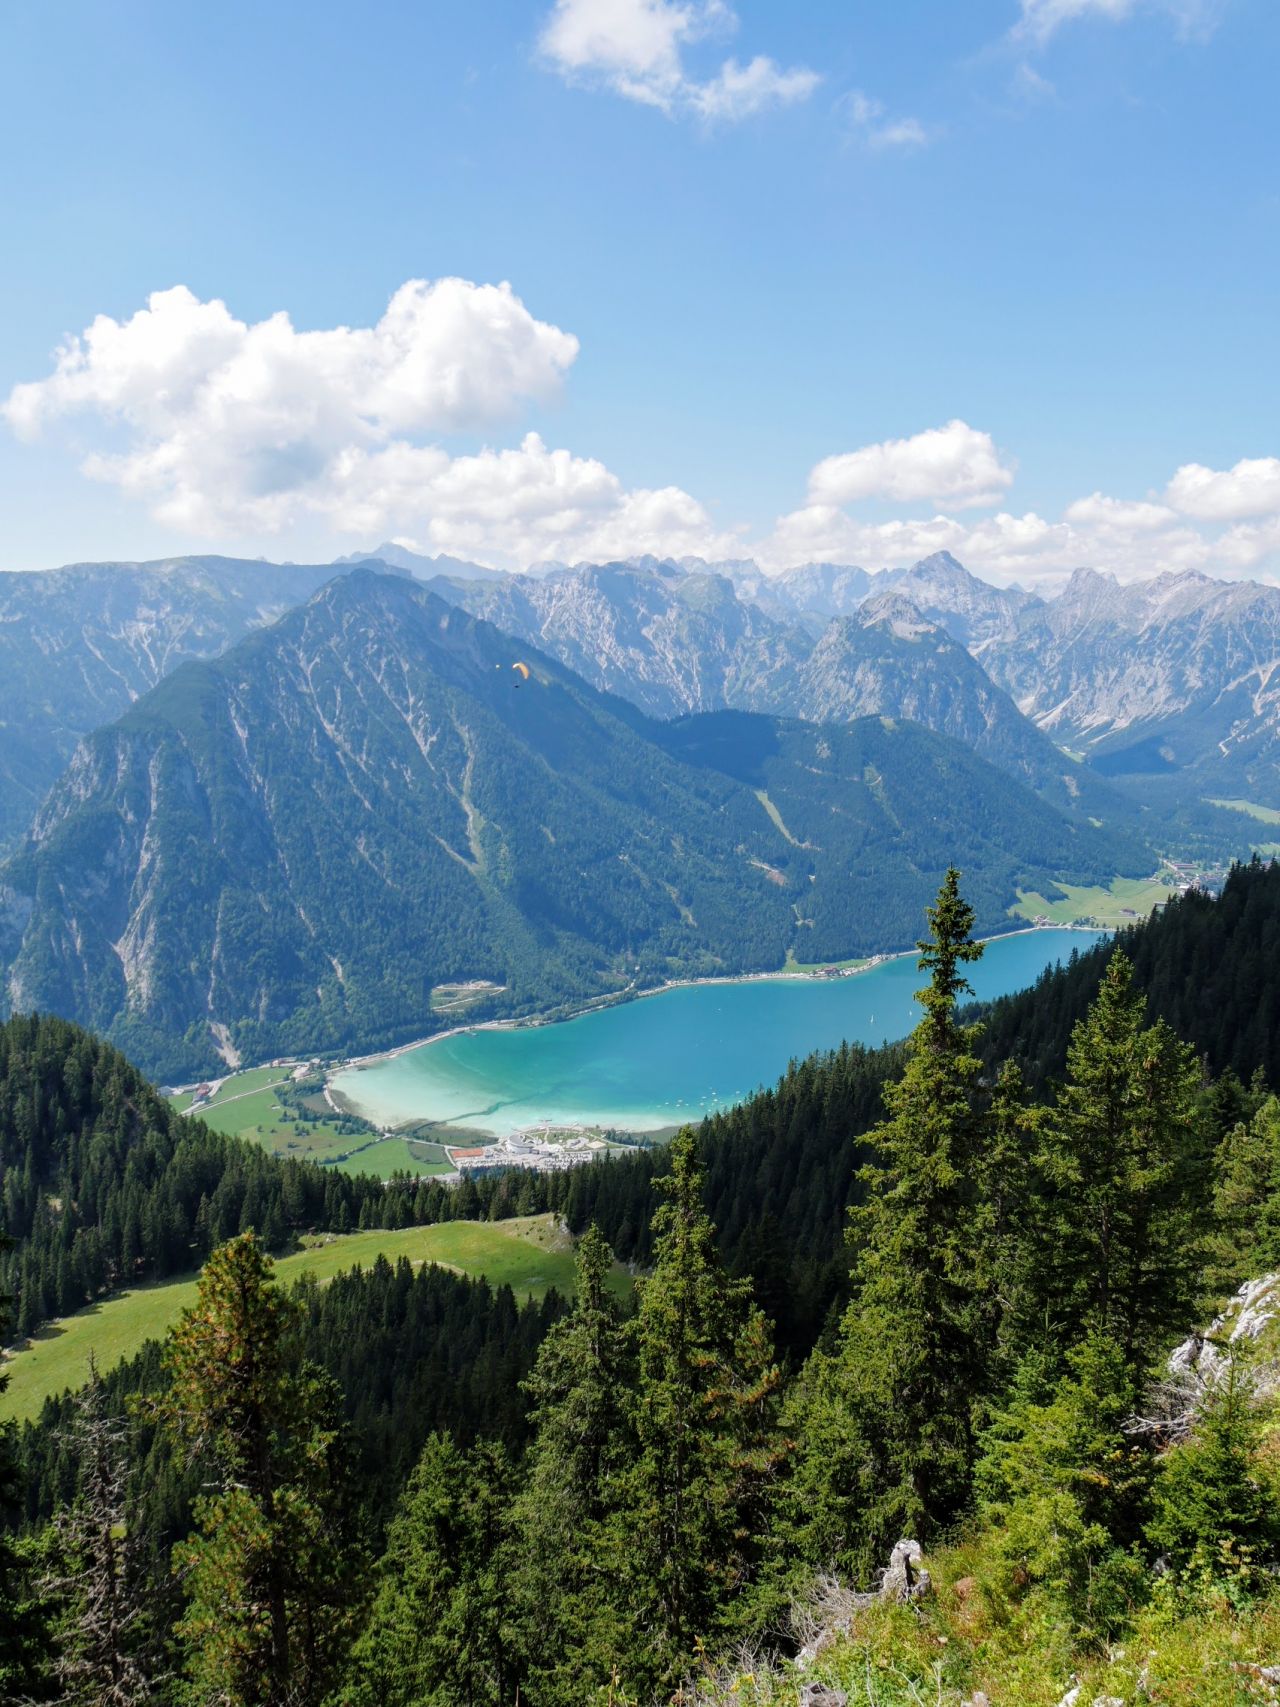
{"x": 530, "y": 1255}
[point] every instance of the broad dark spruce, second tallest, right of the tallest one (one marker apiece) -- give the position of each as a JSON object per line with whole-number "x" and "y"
{"x": 1124, "y": 1182}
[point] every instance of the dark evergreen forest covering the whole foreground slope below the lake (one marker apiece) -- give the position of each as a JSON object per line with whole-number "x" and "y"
{"x": 950, "y": 1375}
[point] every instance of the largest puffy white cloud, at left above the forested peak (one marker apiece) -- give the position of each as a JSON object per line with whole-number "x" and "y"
{"x": 228, "y": 422}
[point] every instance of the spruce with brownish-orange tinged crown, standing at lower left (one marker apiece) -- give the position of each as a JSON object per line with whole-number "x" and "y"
{"x": 272, "y": 1578}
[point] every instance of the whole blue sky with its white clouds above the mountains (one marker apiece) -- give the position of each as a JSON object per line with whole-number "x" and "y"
{"x": 847, "y": 281}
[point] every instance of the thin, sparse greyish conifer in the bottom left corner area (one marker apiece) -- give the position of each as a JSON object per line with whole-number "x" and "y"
{"x": 105, "y": 1634}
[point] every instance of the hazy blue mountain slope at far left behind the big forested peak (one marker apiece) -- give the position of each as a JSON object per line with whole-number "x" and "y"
{"x": 83, "y": 643}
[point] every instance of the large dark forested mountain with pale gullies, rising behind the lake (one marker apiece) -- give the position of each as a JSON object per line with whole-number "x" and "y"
{"x": 293, "y": 846}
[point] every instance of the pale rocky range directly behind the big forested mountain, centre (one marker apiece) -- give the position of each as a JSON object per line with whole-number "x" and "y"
{"x": 677, "y": 641}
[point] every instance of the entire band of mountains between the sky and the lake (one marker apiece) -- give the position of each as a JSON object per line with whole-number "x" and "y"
{"x": 317, "y": 795}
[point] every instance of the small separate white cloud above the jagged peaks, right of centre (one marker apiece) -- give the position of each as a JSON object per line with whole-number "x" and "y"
{"x": 955, "y": 463}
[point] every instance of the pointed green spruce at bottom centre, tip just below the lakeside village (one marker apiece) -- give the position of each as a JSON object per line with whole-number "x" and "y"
{"x": 706, "y": 1426}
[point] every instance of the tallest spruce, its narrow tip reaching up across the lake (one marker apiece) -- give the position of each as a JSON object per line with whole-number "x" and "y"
{"x": 887, "y": 1418}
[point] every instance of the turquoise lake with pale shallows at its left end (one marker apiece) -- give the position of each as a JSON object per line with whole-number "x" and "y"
{"x": 672, "y": 1057}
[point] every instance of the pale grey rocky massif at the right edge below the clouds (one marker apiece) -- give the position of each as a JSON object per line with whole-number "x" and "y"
{"x": 1178, "y": 675}
